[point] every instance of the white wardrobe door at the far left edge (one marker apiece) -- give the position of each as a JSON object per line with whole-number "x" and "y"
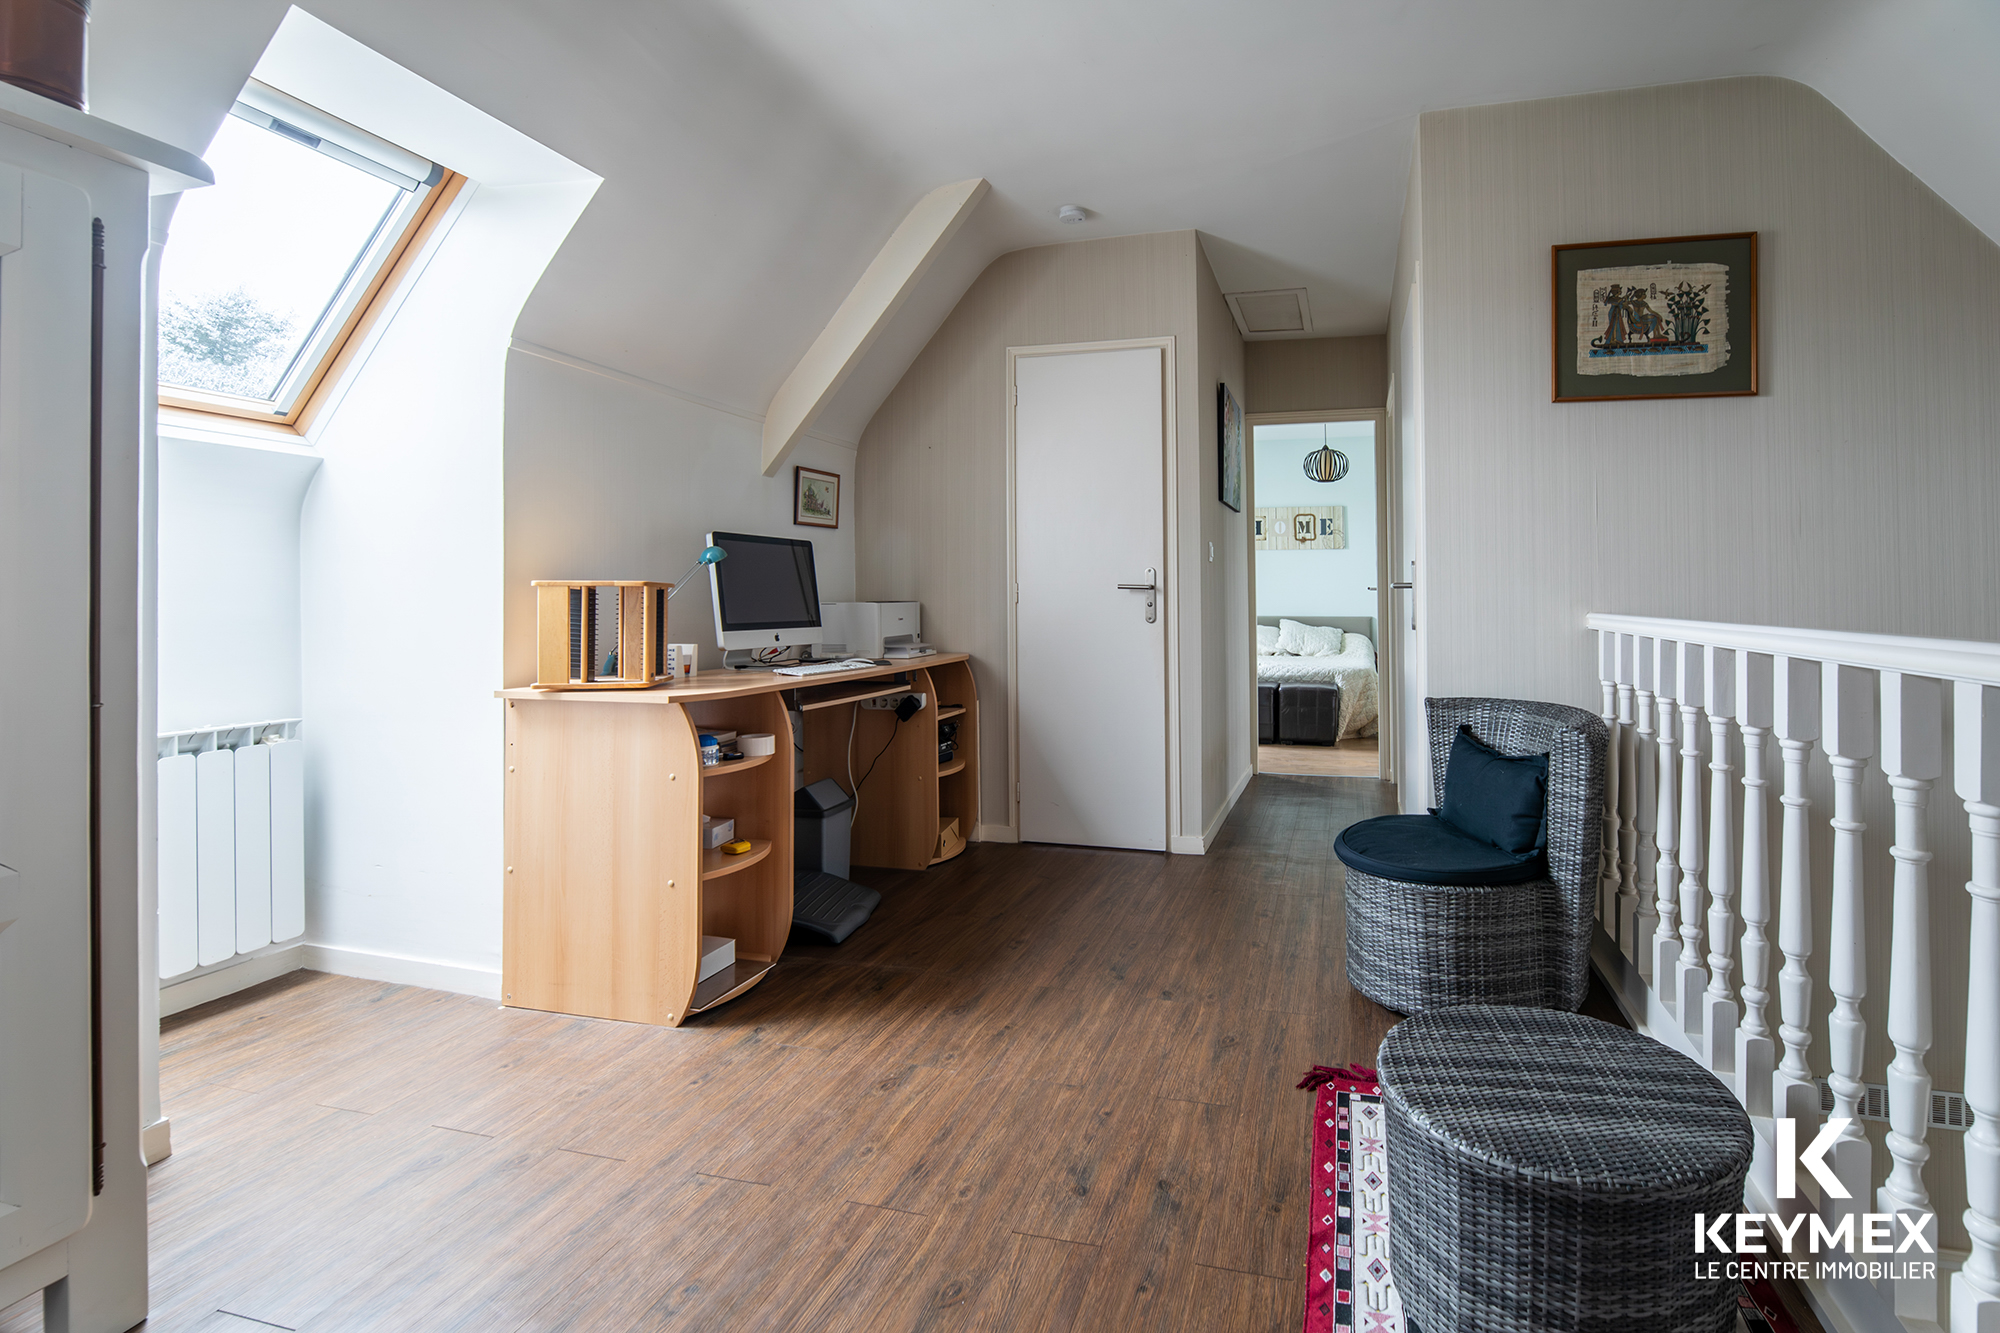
{"x": 45, "y": 776}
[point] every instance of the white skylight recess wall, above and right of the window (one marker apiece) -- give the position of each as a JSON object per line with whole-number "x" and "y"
{"x": 401, "y": 547}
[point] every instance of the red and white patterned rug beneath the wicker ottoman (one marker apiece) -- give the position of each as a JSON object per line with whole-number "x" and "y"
{"x": 1349, "y": 1284}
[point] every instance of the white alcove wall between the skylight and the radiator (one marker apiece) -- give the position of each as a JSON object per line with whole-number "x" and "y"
{"x": 229, "y": 579}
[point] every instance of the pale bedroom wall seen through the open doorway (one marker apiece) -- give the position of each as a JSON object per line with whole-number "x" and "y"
{"x": 1319, "y": 583}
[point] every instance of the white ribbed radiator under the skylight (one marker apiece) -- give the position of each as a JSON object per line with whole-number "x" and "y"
{"x": 233, "y": 844}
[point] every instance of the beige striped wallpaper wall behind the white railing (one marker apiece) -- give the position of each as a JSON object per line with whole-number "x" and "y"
{"x": 1855, "y": 493}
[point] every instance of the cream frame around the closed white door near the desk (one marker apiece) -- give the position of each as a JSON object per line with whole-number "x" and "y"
{"x": 1169, "y": 583}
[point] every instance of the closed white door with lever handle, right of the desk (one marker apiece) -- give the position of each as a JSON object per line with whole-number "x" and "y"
{"x": 1091, "y": 653}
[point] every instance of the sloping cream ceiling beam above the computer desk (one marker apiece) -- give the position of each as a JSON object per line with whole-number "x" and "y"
{"x": 865, "y": 315}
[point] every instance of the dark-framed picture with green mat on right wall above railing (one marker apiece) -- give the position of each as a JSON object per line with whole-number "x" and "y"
{"x": 1673, "y": 317}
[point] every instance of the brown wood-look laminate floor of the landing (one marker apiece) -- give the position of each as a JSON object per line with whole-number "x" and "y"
{"x": 1043, "y": 1090}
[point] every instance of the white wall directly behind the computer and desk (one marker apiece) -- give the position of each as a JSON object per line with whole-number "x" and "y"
{"x": 659, "y": 473}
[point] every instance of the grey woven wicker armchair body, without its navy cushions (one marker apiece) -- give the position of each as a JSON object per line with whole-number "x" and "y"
{"x": 1429, "y": 946}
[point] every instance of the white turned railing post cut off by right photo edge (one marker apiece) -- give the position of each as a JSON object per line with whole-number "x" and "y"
{"x": 1977, "y": 772}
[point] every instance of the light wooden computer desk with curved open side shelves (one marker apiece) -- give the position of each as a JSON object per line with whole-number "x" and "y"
{"x": 607, "y": 886}
